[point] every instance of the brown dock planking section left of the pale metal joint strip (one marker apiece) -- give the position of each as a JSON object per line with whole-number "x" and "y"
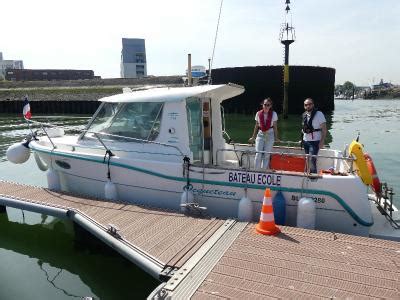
{"x": 151, "y": 230}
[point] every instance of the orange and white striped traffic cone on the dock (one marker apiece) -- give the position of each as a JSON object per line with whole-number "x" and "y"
{"x": 267, "y": 221}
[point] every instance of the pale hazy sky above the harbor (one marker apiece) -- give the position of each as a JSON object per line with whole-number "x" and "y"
{"x": 359, "y": 38}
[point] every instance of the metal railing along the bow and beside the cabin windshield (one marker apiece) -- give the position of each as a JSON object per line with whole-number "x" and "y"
{"x": 98, "y": 135}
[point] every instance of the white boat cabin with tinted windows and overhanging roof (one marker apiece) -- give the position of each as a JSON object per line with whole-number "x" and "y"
{"x": 176, "y": 121}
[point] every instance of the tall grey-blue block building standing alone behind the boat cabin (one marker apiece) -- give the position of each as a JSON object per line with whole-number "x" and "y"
{"x": 133, "y": 58}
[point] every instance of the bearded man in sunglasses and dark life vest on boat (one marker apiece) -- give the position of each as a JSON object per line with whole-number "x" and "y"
{"x": 314, "y": 131}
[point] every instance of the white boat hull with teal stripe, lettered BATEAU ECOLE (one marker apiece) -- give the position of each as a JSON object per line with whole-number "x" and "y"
{"x": 341, "y": 201}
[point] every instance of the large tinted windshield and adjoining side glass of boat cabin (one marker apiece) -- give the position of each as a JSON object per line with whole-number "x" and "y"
{"x": 139, "y": 120}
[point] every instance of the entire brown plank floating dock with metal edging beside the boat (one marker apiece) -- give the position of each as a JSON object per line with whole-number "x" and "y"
{"x": 206, "y": 258}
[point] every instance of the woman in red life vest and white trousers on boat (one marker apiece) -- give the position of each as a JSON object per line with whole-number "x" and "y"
{"x": 266, "y": 129}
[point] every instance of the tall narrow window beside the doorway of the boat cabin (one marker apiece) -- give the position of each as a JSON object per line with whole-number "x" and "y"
{"x": 194, "y": 115}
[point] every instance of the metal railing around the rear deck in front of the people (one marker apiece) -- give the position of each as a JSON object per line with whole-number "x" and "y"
{"x": 247, "y": 153}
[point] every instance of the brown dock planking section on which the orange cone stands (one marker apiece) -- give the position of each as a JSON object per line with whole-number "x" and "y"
{"x": 306, "y": 264}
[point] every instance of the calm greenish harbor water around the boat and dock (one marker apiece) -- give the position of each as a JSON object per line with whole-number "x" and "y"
{"x": 42, "y": 258}
